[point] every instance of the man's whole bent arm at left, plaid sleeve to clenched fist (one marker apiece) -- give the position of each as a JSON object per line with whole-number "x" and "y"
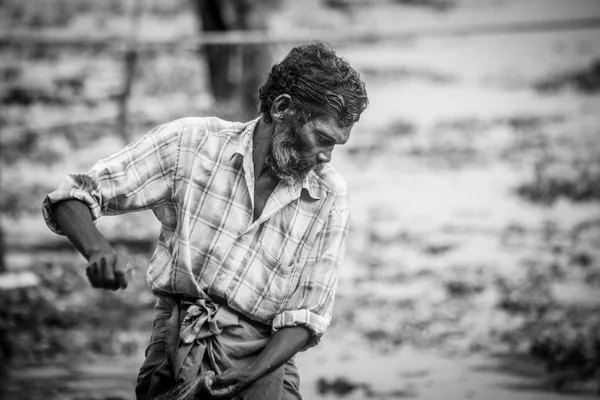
{"x": 137, "y": 177}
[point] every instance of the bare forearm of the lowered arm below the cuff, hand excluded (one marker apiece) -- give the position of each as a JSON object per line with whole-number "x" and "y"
{"x": 282, "y": 346}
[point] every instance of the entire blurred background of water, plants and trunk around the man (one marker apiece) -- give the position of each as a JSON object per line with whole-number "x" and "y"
{"x": 473, "y": 268}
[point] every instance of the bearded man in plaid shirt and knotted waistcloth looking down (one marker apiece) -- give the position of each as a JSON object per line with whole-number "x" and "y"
{"x": 254, "y": 225}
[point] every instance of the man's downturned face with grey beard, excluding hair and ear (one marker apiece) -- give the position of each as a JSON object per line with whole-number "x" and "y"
{"x": 296, "y": 150}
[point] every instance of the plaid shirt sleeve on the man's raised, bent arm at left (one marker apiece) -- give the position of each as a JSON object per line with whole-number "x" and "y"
{"x": 139, "y": 176}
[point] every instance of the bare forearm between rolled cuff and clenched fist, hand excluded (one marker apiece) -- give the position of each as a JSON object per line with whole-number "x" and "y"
{"x": 74, "y": 219}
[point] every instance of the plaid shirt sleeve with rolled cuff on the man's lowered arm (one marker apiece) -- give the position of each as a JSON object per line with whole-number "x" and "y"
{"x": 311, "y": 304}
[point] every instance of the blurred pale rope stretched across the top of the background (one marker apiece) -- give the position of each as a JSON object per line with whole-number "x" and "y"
{"x": 359, "y": 35}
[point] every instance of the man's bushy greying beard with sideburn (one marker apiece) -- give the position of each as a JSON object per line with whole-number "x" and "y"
{"x": 284, "y": 158}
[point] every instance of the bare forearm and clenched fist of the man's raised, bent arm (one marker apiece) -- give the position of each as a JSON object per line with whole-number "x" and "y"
{"x": 105, "y": 268}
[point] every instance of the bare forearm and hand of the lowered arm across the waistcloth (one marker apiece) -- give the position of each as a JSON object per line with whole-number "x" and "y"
{"x": 282, "y": 346}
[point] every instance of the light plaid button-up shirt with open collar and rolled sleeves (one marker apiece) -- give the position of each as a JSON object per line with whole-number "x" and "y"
{"x": 196, "y": 174}
